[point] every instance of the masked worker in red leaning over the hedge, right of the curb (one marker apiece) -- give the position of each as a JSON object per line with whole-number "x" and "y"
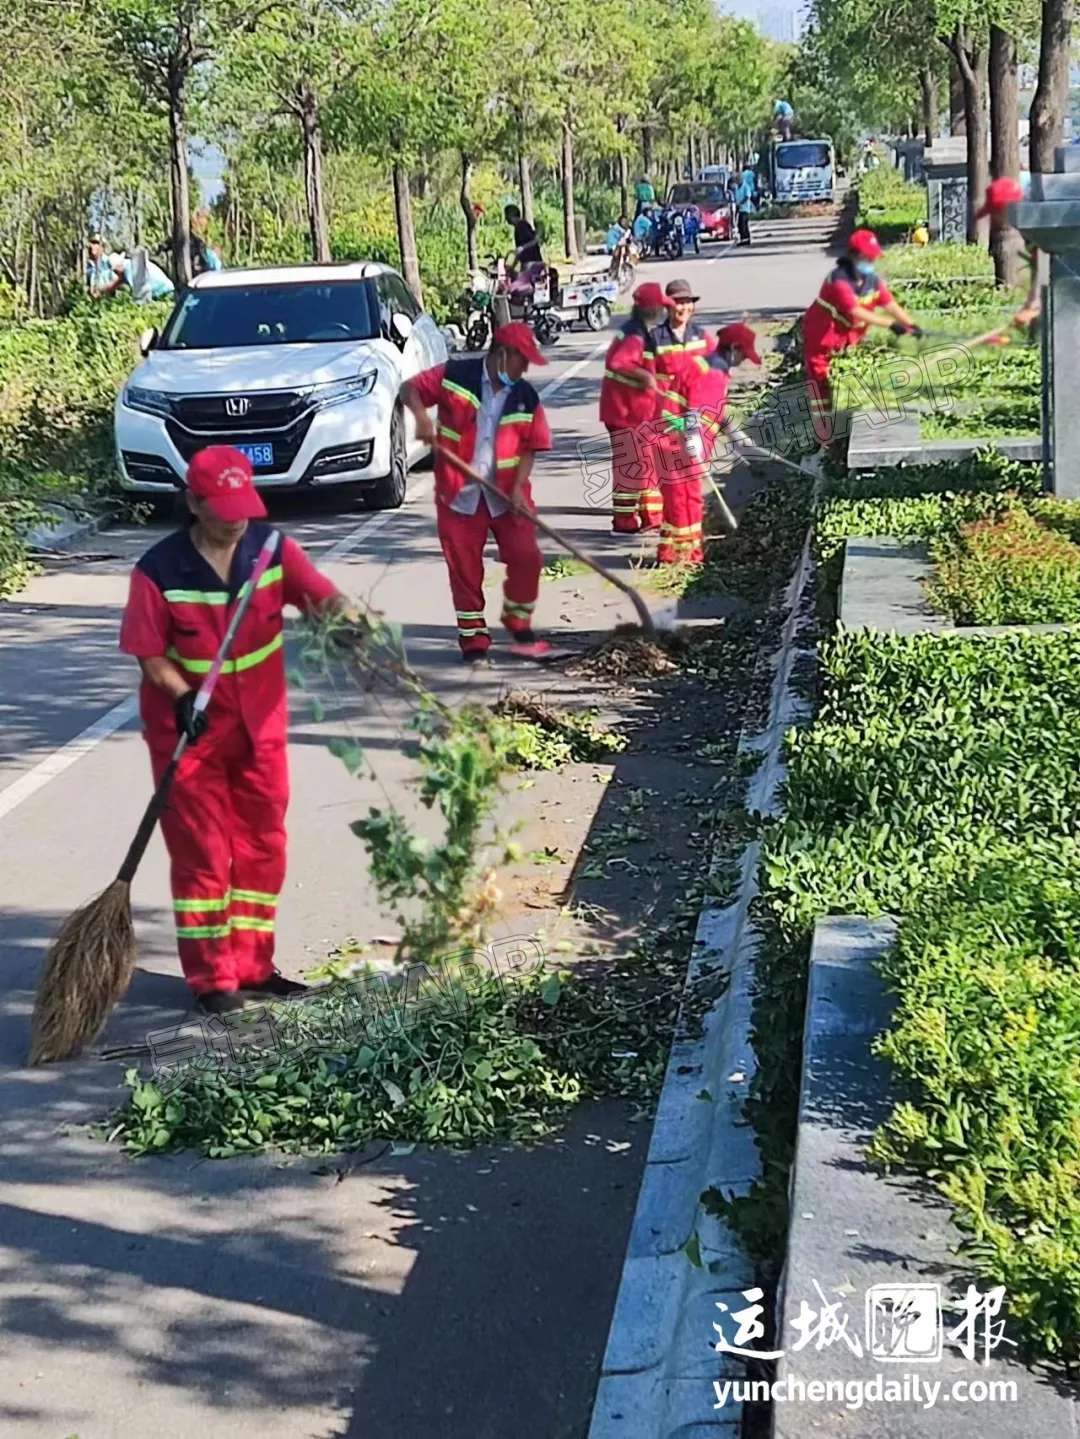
{"x": 851, "y": 301}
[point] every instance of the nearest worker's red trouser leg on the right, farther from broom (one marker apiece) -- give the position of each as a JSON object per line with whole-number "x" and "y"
{"x": 260, "y": 795}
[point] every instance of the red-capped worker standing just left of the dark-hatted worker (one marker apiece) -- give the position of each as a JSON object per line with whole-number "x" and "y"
{"x": 628, "y": 407}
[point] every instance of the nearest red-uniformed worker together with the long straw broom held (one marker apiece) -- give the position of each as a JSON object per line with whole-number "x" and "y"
{"x": 205, "y": 622}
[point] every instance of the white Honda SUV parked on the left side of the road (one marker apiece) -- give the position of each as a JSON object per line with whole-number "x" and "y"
{"x": 300, "y": 366}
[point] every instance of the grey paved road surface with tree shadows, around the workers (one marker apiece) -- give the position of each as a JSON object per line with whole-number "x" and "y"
{"x": 421, "y": 1296}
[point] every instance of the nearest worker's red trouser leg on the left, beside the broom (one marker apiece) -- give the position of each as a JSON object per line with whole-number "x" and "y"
{"x": 196, "y": 830}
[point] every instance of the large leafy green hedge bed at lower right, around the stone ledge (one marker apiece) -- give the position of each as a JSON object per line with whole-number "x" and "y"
{"x": 933, "y": 762}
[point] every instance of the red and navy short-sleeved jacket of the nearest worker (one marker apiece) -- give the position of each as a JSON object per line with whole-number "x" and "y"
{"x": 179, "y": 608}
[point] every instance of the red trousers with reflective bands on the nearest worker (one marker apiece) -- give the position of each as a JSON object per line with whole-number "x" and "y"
{"x": 225, "y": 832}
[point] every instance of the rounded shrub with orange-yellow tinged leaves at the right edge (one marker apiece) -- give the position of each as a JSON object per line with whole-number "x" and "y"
{"x": 1007, "y": 571}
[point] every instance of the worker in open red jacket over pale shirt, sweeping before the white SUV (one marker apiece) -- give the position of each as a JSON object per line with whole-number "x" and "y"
{"x": 491, "y": 417}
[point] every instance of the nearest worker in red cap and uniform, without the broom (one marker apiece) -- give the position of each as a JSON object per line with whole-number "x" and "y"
{"x": 225, "y": 825}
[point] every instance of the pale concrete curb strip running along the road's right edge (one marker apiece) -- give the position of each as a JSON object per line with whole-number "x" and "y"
{"x": 659, "y": 1365}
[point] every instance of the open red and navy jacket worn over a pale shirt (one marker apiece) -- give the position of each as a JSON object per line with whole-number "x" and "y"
{"x": 457, "y": 391}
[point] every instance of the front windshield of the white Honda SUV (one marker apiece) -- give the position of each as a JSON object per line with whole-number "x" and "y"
{"x": 310, "y": 313}
